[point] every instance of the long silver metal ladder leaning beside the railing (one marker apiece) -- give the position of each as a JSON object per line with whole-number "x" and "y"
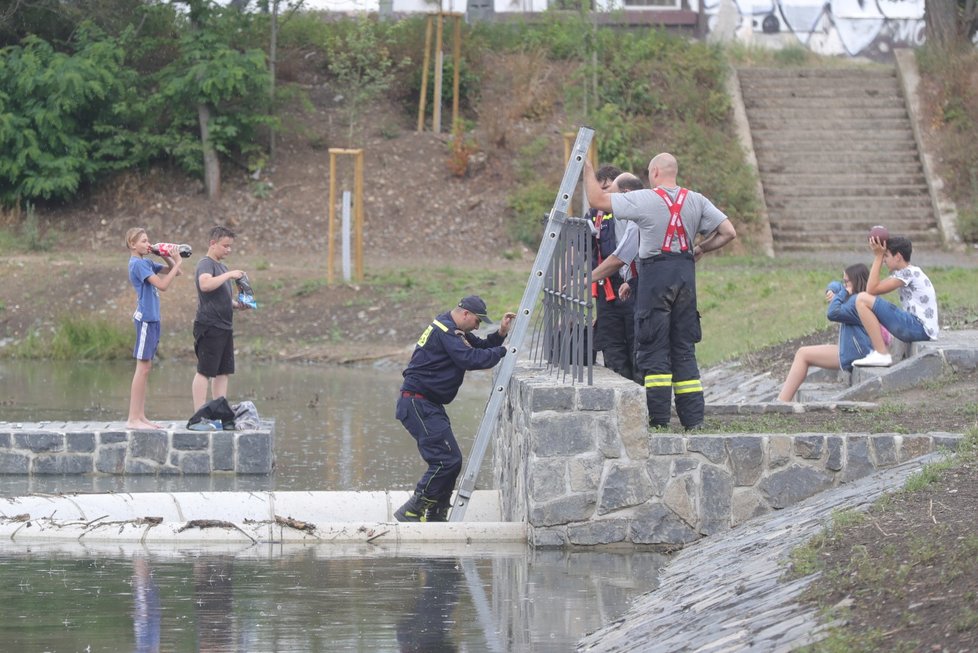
{"x": 555, "y": 223}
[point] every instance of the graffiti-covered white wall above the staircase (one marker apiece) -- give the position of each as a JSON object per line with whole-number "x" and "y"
{"x": 870, "y": 28}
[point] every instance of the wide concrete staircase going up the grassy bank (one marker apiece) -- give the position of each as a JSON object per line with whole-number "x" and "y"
{"x": 836, "y": 155}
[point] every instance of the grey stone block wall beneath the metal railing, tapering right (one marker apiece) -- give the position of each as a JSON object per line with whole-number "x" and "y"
{"x": 578, "y": 464}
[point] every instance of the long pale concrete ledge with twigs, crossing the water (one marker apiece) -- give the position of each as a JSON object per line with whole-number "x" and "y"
{"x": 244, "y": 518}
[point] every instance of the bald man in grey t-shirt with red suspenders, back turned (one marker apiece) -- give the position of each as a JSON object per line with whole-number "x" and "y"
{"x": 667, "y": 324}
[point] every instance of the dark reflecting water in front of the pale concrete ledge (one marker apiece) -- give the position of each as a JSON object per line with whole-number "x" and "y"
{"x": 312, "y": 599}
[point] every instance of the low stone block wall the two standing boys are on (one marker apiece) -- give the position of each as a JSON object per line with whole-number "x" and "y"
{"x": 85, "y": 448}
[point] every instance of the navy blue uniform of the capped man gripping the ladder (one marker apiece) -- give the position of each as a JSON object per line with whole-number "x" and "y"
{"x": 432, "y": 379}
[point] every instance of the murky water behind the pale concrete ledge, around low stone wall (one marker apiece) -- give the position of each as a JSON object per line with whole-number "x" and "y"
{"x": 335, "y": 426}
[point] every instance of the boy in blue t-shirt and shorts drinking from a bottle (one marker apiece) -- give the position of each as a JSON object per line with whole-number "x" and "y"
{"x": 143, "y": 274}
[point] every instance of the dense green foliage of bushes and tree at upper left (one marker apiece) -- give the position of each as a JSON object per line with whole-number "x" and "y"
{"x": 111, "y": 103}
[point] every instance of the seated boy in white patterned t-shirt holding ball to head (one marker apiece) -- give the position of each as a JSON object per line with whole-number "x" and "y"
{"x": 916, "y": 320}
